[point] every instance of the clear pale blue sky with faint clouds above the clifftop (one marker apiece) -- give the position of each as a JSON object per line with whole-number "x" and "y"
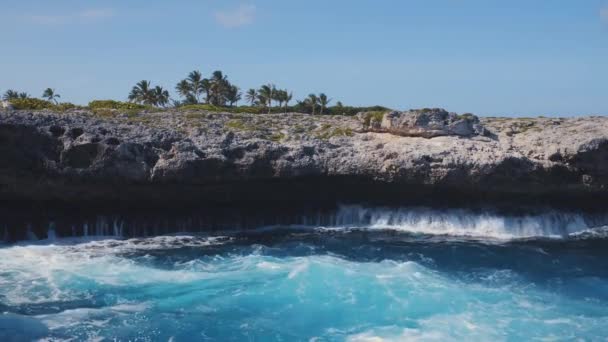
{"x": 488, "y": 57}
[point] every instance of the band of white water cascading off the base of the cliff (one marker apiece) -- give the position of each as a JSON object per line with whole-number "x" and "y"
{"x": 419, "y": 220}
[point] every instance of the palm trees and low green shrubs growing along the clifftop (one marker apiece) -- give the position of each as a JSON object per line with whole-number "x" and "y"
{"x": 198, "y": 93}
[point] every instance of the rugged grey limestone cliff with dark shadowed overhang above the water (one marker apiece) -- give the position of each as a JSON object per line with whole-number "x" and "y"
{"x": 209, "y": 156}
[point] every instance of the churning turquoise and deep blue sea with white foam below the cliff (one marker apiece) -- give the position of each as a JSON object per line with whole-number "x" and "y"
{"x": 306, "y": 285}
